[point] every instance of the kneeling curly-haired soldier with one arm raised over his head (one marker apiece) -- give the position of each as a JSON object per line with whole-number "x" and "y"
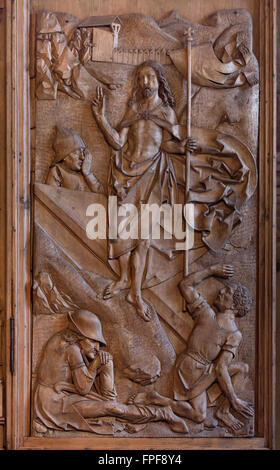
{"x": 211, "y": 348}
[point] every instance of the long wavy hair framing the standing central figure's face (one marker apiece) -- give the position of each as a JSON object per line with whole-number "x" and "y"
{"x": 164, "y": 90}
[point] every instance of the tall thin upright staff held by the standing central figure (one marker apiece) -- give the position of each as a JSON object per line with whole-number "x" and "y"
{"x": 188, "y": 36}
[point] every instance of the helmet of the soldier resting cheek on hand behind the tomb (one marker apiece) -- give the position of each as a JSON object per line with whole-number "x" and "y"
{"x": 66, "y": 141}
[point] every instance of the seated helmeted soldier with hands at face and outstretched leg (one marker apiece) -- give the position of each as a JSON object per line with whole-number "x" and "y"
{"x": 75, "y": 384}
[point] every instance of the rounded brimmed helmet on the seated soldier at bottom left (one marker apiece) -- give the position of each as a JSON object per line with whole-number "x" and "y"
{"x": 88, "y": 324}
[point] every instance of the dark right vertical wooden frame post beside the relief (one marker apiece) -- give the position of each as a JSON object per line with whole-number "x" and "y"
{"x": 266, "y": 306}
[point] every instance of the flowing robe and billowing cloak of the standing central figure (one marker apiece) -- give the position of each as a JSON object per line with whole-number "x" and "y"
{"x": 223, "y": 178}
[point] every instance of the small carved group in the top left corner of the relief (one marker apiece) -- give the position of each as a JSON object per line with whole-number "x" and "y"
{"x": 61, "y": 58}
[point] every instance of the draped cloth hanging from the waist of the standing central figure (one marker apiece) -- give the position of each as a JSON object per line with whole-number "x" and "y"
{"x": 150, "y": 182}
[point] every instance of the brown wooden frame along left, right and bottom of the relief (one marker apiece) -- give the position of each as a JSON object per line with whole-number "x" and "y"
{"x": 18, "y": 251}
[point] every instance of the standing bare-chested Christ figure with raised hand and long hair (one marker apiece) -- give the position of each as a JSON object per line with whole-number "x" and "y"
{"x": 141, "y": 171}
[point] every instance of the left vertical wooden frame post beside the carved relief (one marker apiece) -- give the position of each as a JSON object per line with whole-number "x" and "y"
{"x": 18, "y": 227}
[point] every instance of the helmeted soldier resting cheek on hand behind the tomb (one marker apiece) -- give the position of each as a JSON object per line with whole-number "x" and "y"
{"x": 71, "y": 167}
